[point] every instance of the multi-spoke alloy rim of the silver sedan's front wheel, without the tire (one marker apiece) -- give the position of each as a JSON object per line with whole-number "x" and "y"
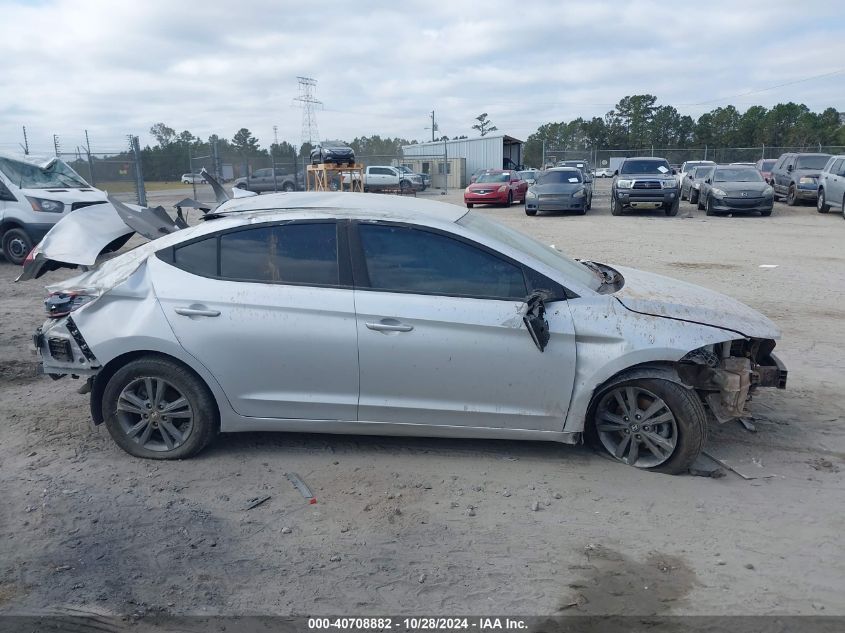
{"x": 636, "y": 426}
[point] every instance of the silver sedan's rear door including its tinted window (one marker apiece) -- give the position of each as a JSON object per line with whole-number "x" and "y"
{"x": 269, "y": 318}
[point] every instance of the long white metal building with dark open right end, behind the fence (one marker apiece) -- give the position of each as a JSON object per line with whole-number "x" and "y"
{"x": 485, "y": 152}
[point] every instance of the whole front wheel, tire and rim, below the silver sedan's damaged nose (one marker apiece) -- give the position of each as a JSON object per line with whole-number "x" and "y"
{"x": 649, "y": 423}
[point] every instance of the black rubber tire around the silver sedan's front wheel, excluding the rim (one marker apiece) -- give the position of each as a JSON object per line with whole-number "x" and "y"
{"x": 684, "y": 405}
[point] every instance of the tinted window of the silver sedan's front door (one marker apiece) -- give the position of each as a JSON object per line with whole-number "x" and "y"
{"x": 410, "y": 260}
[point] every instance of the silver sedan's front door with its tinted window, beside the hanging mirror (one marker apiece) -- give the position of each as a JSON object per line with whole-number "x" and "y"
{"x": 442, "y": 340}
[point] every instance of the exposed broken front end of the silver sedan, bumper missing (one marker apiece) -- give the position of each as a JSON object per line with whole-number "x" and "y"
{"x": 726, "y": 375}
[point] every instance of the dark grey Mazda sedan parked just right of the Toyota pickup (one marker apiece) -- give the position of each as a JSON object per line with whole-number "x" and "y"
{"x": 736, "y": 189}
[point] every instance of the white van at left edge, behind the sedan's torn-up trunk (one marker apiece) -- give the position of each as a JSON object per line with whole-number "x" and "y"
{"x": 35, "y": 193}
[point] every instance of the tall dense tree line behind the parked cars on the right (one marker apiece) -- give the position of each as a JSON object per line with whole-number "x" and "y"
{"x": 638, "y": 122}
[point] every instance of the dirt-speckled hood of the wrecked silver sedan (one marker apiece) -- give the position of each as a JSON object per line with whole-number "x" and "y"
{"x": 649, "y": 293}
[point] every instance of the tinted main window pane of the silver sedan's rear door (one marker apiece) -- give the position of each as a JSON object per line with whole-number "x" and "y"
{"x": 290, "y": 253}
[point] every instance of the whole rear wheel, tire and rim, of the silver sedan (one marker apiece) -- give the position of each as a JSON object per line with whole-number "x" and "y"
{"x": 156, "y": 409}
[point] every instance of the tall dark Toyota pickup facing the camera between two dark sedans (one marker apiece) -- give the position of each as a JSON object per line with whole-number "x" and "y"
{"x": 645, "y": 183}
